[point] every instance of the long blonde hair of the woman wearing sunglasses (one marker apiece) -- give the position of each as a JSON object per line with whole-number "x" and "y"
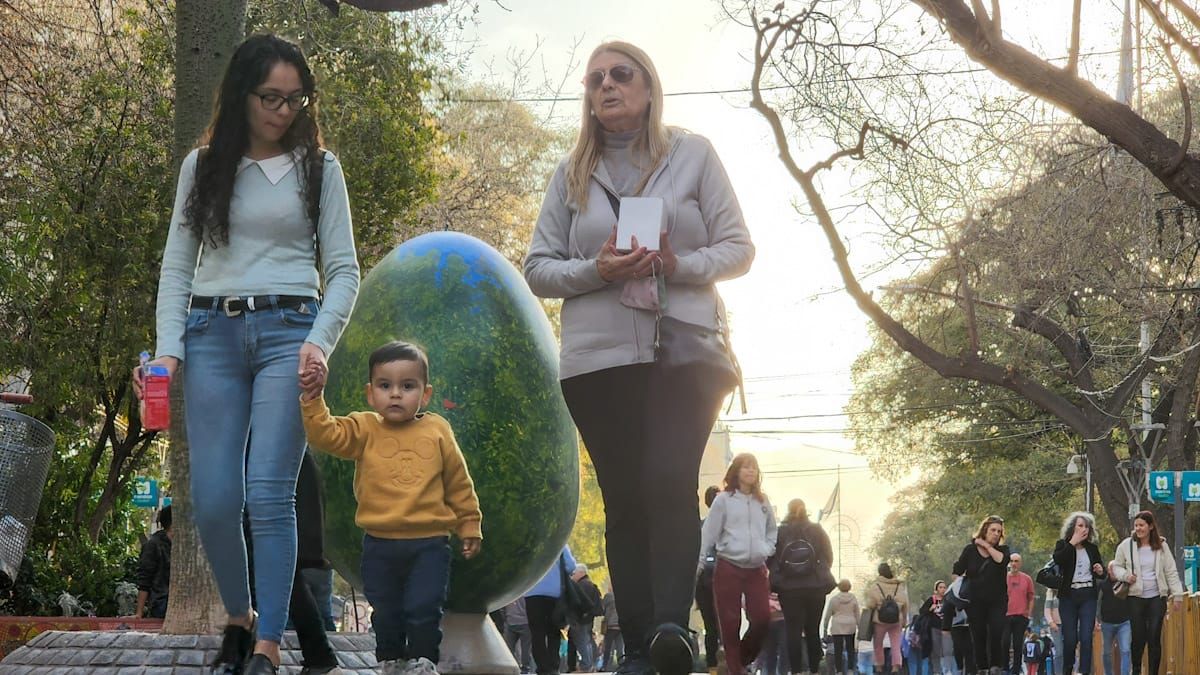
{"x": 653, "y": 141}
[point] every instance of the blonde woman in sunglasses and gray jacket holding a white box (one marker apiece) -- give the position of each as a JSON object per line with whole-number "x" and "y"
{"x": 645, "y": 425}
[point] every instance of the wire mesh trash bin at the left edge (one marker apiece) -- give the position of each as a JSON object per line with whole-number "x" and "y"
{"x": 26, "y": 450}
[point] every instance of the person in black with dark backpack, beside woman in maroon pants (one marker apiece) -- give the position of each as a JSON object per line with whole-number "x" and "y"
{"x": 801, "y": 575}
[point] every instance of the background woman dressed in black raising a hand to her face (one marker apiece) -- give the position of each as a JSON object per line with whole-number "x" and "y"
{"x": 985, "y": 566}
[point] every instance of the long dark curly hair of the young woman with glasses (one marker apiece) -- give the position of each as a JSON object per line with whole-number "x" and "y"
{"x": 227, "y": 138}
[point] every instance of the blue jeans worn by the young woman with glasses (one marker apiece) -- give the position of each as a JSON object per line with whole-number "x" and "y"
{"x": 242, "y": 385}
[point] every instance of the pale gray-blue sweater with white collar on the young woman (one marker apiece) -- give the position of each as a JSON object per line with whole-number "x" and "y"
{"x": 271, "y": 252}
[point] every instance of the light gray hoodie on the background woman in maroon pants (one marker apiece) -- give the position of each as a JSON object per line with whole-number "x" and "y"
{"x": 740, "y": 529}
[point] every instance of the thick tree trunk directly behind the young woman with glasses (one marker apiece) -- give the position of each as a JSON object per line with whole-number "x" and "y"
{"x": 207, "y": 32}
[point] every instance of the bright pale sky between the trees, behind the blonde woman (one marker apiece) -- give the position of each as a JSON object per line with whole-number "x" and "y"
{"x": 795, "y": 332}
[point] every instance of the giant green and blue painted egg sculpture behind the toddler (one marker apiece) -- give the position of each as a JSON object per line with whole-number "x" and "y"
{"x": 494, "y": 365}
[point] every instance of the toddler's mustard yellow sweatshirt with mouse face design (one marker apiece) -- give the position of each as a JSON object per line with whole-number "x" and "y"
{"x": 411, "y": 480}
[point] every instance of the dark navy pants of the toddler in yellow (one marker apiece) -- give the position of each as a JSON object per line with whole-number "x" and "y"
{"x": 406, "y": 583}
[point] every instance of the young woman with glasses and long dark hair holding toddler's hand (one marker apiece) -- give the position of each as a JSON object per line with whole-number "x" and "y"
{"x": 238, "y": 298}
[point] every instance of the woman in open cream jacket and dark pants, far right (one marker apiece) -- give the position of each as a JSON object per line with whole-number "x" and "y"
{"x": 1145, "y": 563}
